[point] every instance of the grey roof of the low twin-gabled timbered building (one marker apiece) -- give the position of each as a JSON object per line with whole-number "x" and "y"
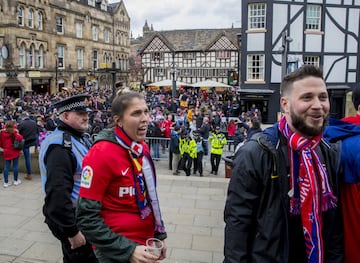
{"x": 191, "y": 39}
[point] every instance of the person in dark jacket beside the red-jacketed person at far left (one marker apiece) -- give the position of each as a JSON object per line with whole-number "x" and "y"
{"x": 29, "y": 130}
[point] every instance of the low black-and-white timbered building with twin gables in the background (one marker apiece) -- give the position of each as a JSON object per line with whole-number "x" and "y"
{"x": 191, "y": 55}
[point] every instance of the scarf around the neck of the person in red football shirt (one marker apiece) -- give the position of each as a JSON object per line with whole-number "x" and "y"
{"x": 144, "y": 178}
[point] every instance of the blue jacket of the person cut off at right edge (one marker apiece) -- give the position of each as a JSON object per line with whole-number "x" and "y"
{"x": 349, "y": 134}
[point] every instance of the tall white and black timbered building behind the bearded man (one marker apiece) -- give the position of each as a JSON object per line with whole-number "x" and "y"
{"x": 279, "y": 36}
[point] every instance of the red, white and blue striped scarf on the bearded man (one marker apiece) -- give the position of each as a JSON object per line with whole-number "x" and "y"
{"x": 310, "y": 192}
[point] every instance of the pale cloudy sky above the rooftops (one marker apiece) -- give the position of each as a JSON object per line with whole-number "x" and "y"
{"x": 182, "y": 14}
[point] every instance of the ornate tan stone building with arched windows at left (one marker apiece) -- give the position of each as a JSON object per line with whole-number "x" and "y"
{"x": 51, "y": 45}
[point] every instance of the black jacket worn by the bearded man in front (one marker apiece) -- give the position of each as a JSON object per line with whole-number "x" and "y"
{"x": 259, "y": 227}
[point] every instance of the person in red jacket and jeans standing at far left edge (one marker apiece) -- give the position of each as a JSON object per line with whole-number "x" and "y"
{"x": 10, "y": 155}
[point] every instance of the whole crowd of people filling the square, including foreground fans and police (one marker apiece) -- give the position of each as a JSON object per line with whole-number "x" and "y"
{"x": 293, "y": 195}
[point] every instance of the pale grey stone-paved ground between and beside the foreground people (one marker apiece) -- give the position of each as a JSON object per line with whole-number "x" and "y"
{"x": 192, "y": 210}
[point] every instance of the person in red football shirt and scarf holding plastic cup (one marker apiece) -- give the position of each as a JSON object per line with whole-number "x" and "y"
{"x": 118, "y": 209}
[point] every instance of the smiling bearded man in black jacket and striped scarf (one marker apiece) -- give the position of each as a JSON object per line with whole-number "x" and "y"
{"x": 282, "y": 202}
